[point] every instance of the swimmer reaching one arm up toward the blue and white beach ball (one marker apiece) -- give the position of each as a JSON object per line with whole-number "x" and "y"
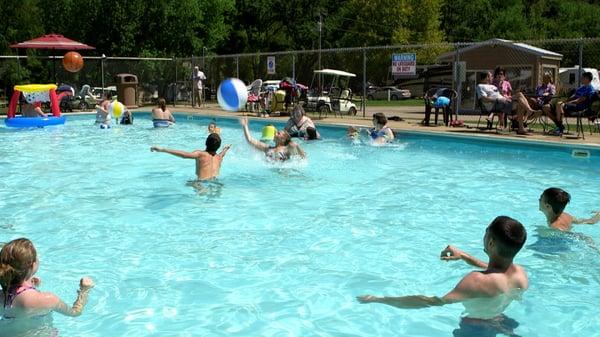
{"x": 283, "y": 149}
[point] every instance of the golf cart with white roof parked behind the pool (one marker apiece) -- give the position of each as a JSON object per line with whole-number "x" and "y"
{"x": 331, "y": 93}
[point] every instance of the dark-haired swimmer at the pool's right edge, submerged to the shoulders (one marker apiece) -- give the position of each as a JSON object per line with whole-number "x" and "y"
{"x": 553, "y": 202}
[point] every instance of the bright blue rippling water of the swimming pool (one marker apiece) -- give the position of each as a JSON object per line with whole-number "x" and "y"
{"x": 284, "y": 250}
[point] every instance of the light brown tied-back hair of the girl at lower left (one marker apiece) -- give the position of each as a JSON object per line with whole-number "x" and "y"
{"x": 16, "y": 260}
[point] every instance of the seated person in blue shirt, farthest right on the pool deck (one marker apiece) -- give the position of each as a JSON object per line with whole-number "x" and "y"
{"x": 579, "y": 101}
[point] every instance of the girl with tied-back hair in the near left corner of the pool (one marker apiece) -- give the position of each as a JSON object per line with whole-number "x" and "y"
{"x": 21, "y": 300}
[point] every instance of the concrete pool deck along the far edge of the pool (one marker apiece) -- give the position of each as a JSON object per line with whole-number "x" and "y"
{"x": 412, "y": 116}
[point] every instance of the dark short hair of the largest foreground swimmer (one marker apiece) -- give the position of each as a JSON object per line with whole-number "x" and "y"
{"x": 508, "y": 234}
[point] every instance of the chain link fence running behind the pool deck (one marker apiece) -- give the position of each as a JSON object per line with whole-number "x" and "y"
{"x": 455, "y": 66}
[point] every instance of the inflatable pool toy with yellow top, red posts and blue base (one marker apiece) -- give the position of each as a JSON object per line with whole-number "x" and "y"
{"x": 34, "y": 93}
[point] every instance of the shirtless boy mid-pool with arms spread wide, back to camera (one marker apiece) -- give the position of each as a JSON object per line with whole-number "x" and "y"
{"x": 208, "y": 163}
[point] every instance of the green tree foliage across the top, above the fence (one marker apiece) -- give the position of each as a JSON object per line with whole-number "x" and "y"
{"x": 189, "y": 27}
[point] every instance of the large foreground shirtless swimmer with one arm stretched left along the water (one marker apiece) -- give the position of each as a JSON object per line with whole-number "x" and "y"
{"x": 484, "y": 293}
